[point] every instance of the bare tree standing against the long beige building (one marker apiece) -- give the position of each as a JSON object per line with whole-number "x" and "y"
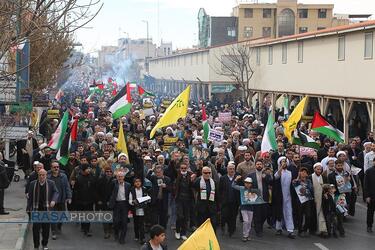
{"x": 235, "y": 63}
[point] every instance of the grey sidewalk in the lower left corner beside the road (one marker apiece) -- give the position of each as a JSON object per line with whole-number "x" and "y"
{"x": 12, "y": 234}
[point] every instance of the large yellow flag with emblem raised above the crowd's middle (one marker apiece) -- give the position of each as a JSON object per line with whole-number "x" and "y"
{"x": 176, "y": 110}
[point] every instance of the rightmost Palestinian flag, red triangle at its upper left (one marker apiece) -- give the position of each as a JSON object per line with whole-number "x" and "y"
{"x": 320, "y": 124}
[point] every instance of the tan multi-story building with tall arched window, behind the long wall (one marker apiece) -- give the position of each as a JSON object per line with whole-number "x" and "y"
{"x": 283, "y": 18}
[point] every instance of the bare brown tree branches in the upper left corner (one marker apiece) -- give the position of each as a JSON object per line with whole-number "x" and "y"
{"x": 35, "y": 20}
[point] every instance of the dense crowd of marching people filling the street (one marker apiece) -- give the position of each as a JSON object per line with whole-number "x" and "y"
{"x": 190, "y": 180}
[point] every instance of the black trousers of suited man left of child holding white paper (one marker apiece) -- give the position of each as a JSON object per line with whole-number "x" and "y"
{"x": 120, "y": 219}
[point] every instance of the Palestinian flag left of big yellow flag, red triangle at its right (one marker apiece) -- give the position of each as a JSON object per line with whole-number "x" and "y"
{"x": 121, "y": 104}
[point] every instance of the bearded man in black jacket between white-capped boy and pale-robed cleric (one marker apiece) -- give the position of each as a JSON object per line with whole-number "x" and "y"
{"x": 262, "y": 179}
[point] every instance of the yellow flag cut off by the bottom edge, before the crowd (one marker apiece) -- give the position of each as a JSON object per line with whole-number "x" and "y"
{"x": 204, "y": 238}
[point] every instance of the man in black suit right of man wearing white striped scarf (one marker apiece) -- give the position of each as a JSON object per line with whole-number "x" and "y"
{"x": 229, "y": 200}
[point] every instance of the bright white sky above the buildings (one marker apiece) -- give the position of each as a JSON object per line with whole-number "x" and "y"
{"x": 177, "y": 19}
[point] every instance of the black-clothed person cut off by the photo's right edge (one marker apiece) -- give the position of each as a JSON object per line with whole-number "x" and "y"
{"x": 369, "y": 195}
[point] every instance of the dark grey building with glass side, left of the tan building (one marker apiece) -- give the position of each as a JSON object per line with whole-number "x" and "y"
{"x": 216, "y": 30}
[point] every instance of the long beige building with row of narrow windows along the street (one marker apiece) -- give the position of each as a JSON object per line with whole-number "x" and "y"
{"x": 332, "y": 66}
